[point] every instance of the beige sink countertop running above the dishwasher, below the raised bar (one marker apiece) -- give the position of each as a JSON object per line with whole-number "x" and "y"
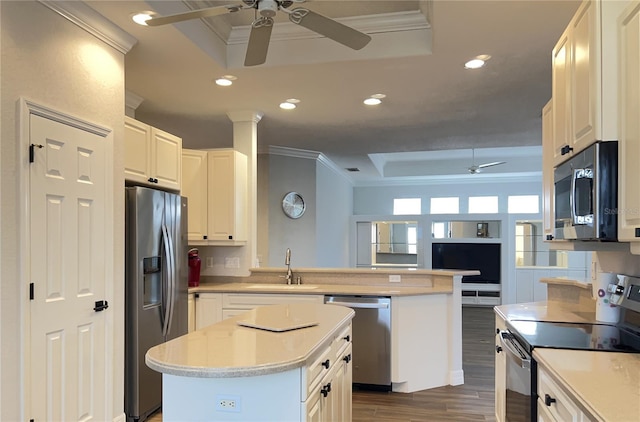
{"x": 321, "y": 289}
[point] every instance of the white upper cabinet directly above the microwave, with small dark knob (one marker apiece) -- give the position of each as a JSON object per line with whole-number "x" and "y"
{"x": 584, "y": 79}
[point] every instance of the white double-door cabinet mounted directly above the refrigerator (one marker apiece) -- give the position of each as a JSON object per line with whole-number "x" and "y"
{"x": 152, "y": 157}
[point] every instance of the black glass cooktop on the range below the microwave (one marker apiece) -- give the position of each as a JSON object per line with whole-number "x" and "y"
{"x": 578, "y": 336}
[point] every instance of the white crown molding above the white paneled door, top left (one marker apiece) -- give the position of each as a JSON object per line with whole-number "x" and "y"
{"x": 94, "y": 23}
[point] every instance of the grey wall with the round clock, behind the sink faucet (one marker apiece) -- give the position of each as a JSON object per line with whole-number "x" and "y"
{"x": 320, "y": 238}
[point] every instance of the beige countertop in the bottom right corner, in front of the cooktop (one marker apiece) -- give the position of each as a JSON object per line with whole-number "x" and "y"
{"x": 605, "y": 384}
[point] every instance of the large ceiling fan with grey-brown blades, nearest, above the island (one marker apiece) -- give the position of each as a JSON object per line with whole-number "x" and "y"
{"x": 261, "y": 27}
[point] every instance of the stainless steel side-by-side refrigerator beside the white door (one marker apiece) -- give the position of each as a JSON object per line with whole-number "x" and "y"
{"x": 156, "y": 287}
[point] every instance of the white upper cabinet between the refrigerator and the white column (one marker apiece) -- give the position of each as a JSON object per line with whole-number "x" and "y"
{"x": 215, "y": 183}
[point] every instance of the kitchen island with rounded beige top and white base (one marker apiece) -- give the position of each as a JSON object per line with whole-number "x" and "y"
{"x": 274, "y": 363}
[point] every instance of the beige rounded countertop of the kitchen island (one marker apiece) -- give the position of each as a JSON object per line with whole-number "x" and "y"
{"x": 227, "y": 349}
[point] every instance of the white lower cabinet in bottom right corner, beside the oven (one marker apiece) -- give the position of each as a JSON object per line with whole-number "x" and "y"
{"x": 554, "y": 404}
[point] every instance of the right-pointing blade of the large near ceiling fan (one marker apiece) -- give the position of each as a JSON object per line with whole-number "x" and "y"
{"x": 329, "y": 28}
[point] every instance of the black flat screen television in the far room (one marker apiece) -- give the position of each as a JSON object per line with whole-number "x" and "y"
{"x": 484, "y": 257}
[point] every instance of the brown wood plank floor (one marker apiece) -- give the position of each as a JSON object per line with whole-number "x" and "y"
{"x": 473, "y": 401}
